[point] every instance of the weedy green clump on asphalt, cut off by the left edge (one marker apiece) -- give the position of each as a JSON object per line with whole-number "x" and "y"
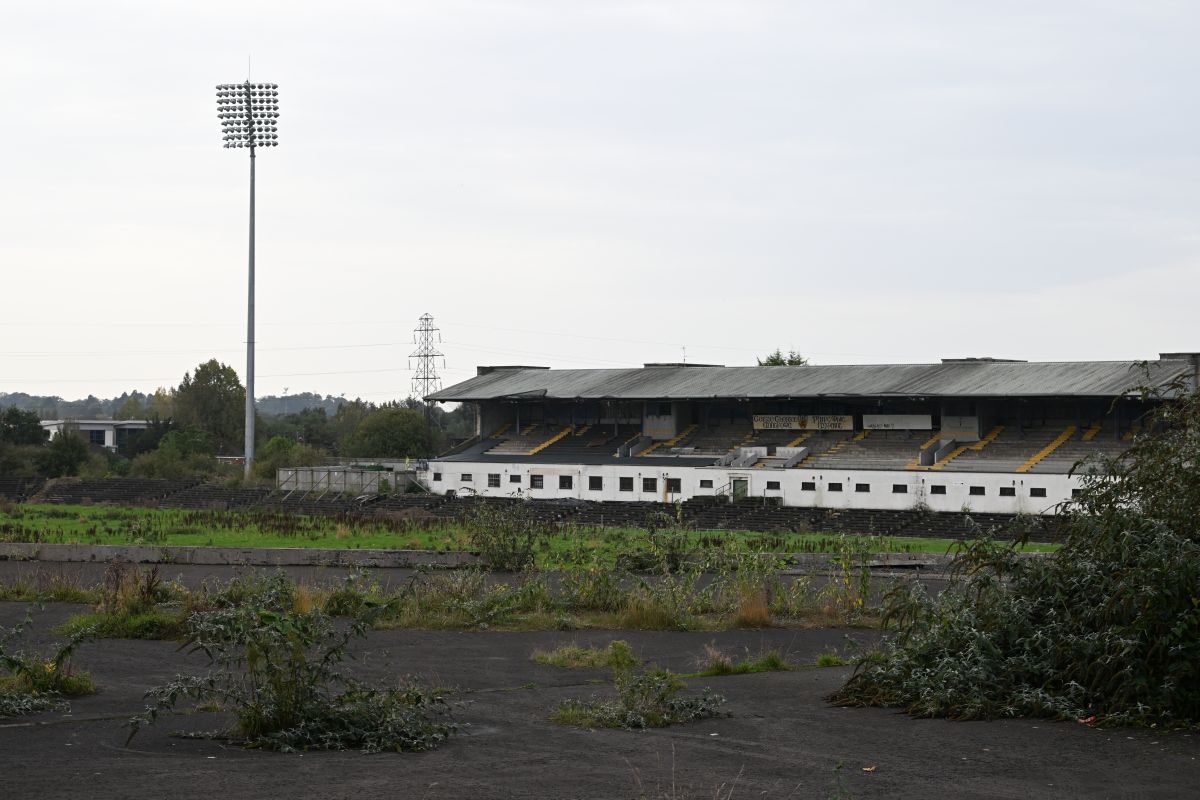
{"x": 35, "y": 683}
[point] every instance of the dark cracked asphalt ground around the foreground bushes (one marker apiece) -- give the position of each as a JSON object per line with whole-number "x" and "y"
{"x": 781, "y": 741}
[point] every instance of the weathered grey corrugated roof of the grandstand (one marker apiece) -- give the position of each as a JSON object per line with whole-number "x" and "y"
{"x": 955, "y": 380}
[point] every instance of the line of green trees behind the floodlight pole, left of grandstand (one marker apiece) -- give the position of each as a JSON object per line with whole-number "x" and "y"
{"x": 191, "y": 425}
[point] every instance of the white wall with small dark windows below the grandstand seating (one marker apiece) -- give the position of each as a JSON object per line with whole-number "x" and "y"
{"x": 881, "y": 495}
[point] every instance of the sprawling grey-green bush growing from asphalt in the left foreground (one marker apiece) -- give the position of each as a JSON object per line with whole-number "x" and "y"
{"x": 278, "y": 672}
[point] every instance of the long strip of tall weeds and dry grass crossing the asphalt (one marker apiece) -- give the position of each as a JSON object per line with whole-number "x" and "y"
{"x": 680, "y": 587}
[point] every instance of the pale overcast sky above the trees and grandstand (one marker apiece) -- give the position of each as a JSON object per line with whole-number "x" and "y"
{"x": 595, "y": 185}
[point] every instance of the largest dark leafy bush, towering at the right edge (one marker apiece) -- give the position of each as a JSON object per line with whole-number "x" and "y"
{"x": 1106, "y": 629}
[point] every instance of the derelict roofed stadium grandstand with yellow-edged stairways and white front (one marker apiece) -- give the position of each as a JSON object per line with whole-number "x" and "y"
{"x": 985, "y": 435}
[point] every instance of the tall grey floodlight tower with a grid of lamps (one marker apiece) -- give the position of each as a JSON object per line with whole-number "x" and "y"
{"x": 249, "y": 113}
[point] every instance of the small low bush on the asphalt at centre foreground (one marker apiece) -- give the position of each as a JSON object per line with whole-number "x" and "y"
{"x": 646, "y": 700}
